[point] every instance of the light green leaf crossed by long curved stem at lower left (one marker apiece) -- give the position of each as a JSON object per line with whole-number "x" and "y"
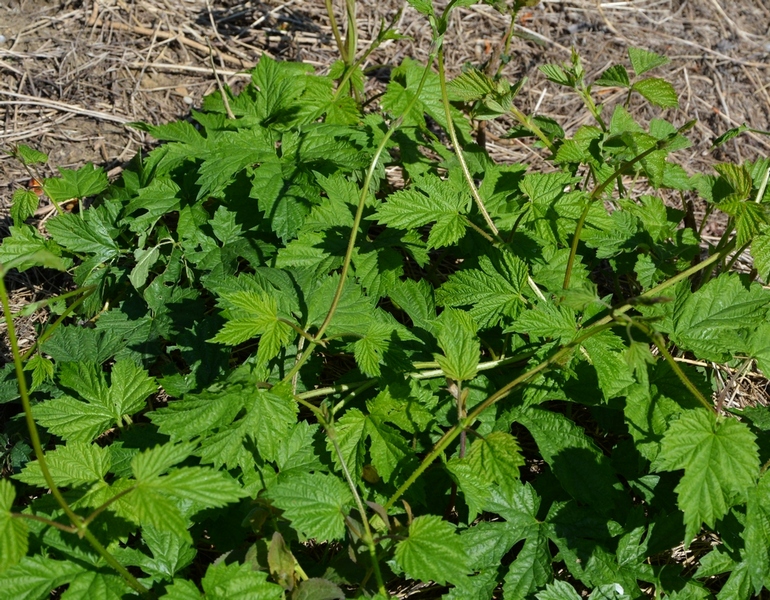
{"x": 77, "y": 463}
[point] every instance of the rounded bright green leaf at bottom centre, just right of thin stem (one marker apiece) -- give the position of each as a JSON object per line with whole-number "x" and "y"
{"x": 433, "y": 551}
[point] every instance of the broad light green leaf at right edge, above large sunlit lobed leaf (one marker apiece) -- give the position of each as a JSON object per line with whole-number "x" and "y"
{"x": 711, "y": 321}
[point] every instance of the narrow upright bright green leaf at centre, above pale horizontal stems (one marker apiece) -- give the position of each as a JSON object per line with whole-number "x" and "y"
{"x": 457, "y": 337}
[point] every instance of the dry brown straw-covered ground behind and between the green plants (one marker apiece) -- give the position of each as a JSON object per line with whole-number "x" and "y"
{"x": 73, "y": 73}
